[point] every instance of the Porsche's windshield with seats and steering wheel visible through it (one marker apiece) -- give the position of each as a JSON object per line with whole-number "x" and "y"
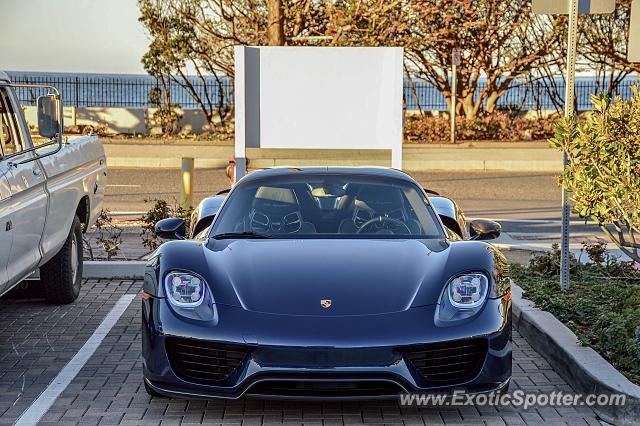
{"x": 352, "y": 208}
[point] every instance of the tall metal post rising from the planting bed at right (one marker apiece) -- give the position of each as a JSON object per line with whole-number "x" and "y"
{"x": 568, "y": 112}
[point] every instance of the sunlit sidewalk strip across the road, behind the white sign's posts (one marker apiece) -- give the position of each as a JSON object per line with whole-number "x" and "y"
{"x": 509, "y": 156}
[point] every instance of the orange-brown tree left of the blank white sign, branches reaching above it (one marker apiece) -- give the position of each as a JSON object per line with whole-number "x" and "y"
{"x": 194, "y": 39}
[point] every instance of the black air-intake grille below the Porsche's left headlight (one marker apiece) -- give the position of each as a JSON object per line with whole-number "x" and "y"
{"x": 204, "y": 362}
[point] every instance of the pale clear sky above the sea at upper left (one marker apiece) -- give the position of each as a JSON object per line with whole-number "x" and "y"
{"x": 79, "y": 36}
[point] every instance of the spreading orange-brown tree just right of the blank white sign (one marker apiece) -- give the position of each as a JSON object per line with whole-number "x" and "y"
{"x": 501, "y": 42}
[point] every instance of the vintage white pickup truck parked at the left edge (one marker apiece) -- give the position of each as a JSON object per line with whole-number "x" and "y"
{"x": 50, "y": 193}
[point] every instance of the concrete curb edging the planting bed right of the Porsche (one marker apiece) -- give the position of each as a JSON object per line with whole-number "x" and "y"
{"x": 581, "y": 366}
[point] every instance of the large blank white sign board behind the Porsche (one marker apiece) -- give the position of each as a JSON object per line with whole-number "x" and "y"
{"x": 320, "y": 97}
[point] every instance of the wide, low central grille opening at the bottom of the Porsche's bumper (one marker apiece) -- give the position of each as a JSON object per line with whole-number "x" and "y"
{"x": 325, "y": 389}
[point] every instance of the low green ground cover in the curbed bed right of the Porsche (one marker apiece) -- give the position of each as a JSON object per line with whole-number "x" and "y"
{"x": 602, "y": 305}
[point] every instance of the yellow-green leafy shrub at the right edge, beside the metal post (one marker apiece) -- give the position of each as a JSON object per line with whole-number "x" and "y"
{"x": 604, "y": 171}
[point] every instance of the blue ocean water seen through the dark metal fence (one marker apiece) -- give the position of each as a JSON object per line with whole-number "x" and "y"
{"x": 132, "y": 91}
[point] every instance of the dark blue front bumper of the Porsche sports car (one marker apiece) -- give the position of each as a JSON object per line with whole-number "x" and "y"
{"x": 362, "y": 357}
